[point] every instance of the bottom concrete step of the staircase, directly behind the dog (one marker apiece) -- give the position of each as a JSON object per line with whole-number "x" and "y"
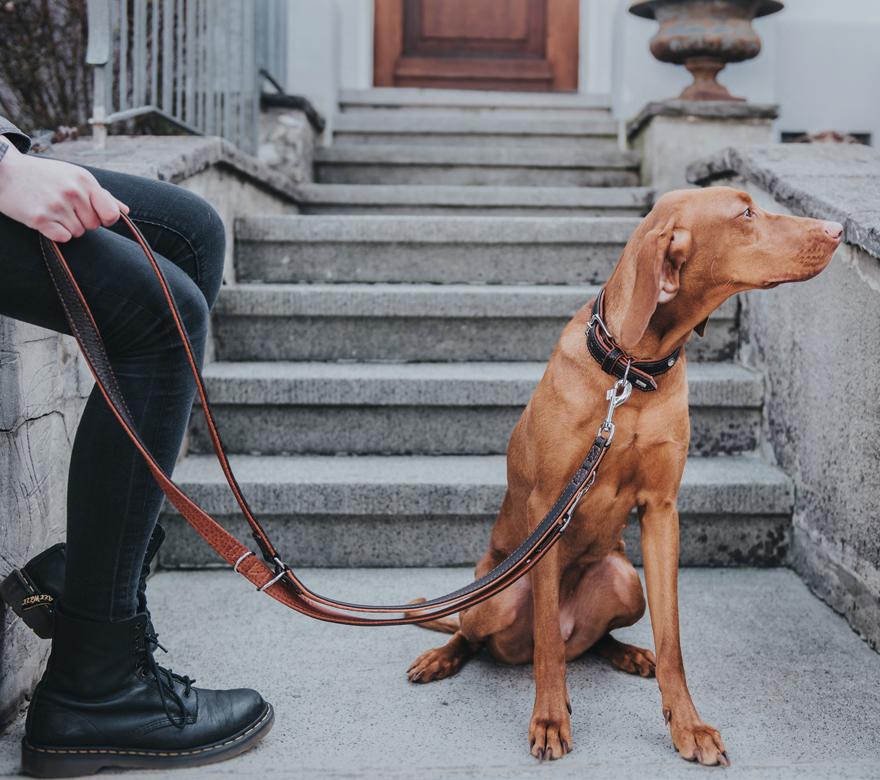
{"x": 418, "y": 510}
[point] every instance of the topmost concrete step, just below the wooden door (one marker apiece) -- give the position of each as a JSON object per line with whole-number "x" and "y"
{"x": 503, "y": 105}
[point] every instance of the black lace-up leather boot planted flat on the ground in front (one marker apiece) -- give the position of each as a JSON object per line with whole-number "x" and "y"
{"x": 105, "y": 702}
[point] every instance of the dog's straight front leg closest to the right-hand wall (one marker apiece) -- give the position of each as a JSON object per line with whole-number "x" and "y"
{"x": 695, "y": 740}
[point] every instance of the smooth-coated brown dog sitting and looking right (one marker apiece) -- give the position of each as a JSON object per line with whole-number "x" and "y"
{"x": 694, "y": 250}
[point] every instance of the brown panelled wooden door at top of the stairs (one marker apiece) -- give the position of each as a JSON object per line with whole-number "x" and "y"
{"x": 476, "y": 44}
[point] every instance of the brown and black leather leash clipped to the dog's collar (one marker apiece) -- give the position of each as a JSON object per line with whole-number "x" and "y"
{"x": 271, "y": 575}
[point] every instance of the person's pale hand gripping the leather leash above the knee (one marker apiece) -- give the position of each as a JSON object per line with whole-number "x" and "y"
{"x": 60, "y": 200}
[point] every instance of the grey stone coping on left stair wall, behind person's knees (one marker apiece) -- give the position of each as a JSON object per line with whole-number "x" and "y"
{"x": 174, "y": 158}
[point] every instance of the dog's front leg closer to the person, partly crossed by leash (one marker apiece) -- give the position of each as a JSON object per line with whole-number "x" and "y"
{"x": 550, "y": 727}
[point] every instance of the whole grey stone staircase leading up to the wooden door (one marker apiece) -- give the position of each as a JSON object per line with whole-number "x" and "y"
{"x": 376, "y": 350}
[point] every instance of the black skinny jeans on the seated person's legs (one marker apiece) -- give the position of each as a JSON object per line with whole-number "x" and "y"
{"x": 112, "y": 499}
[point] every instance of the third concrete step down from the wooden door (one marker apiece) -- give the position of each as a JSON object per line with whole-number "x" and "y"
{"x": 475, "y": 165}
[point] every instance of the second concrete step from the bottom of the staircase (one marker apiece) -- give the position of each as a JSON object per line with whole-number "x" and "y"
{"x": 428, "y": 408}
